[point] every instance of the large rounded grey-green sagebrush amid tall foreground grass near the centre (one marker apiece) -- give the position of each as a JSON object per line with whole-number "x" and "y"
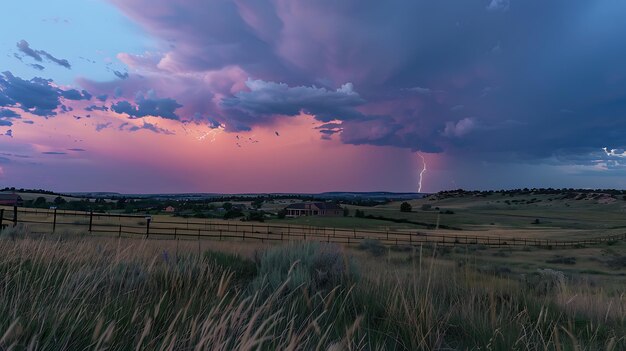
{"x": 314, "y": 267}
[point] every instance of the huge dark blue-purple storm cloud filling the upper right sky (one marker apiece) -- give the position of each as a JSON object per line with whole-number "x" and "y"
{"x": 487, "y": 79}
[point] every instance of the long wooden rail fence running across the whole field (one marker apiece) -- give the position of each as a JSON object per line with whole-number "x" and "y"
{"x": 49, "y": 221}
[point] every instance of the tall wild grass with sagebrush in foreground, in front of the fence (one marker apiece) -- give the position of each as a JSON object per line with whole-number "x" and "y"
{"x": 69, "y": 293}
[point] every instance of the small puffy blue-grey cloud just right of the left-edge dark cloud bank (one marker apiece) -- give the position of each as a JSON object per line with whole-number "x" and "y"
{"x": 148, "y": 105}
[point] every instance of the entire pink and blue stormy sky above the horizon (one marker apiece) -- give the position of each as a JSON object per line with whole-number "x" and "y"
{"x": 235, "y": 96}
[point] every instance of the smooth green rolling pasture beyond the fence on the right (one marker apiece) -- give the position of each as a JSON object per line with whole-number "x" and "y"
{"x": 531, "y": 216}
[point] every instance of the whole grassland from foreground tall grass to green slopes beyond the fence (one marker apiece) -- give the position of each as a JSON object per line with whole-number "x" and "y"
{"x": 74, "y": 289}
